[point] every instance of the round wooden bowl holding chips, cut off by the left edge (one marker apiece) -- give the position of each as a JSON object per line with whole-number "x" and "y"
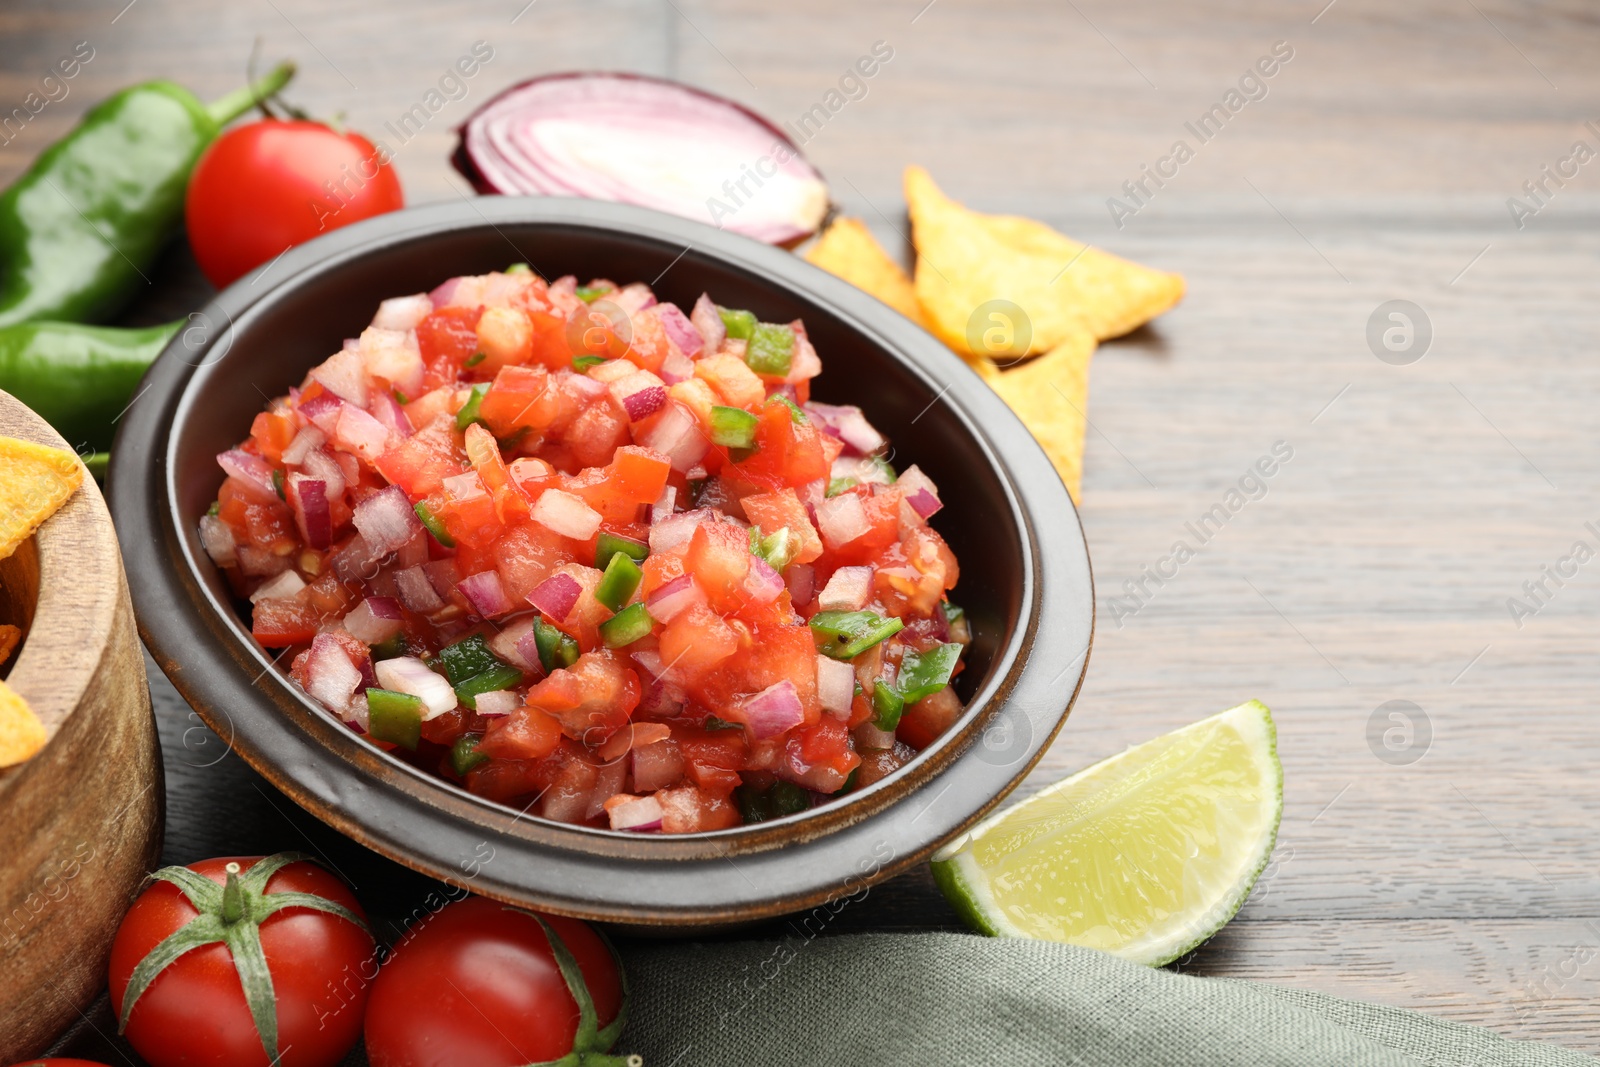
{"x": 84, "y": 817}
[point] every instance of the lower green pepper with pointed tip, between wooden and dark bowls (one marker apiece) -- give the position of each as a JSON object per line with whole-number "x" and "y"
{"x": 79, "y": 378}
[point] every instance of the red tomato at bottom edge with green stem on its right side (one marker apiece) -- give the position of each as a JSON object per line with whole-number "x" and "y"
{"x": 479, "y": 986}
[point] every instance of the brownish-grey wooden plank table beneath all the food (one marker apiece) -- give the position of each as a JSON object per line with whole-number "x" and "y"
{"x": 1450, "y": 865}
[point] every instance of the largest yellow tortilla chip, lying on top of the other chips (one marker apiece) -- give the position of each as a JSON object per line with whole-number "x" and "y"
{"x": 967, "y": 260}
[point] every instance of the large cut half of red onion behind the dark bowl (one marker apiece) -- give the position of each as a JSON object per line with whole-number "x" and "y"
{"x": 644, "y": 142}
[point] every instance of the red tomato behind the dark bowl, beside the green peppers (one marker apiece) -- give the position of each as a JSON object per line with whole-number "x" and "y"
{"x": 273, "y": 185}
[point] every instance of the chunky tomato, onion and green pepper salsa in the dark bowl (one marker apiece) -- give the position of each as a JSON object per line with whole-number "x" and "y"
{"x": 594, "y": 557}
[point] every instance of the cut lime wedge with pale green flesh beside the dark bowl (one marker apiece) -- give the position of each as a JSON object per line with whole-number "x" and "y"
{"x": 1145, "y": 855}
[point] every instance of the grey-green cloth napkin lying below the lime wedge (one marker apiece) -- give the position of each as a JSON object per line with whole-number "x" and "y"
{"x": 958, "y": 1001}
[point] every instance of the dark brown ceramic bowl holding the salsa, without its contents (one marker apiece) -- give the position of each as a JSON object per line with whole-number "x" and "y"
{"x": 1025, "y": 567}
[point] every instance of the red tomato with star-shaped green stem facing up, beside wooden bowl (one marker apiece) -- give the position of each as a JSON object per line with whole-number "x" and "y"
{"x": 196, "y": 1013}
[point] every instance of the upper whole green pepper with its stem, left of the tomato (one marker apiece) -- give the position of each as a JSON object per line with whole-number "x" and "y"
{"x": 84, "y": 226}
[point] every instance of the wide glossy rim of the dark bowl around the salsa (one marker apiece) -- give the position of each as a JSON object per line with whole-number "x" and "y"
{"x": 1015, "y": 706}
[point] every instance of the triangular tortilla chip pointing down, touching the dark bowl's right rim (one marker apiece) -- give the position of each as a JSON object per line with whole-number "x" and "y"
{"x": 1050, "y": 396}
